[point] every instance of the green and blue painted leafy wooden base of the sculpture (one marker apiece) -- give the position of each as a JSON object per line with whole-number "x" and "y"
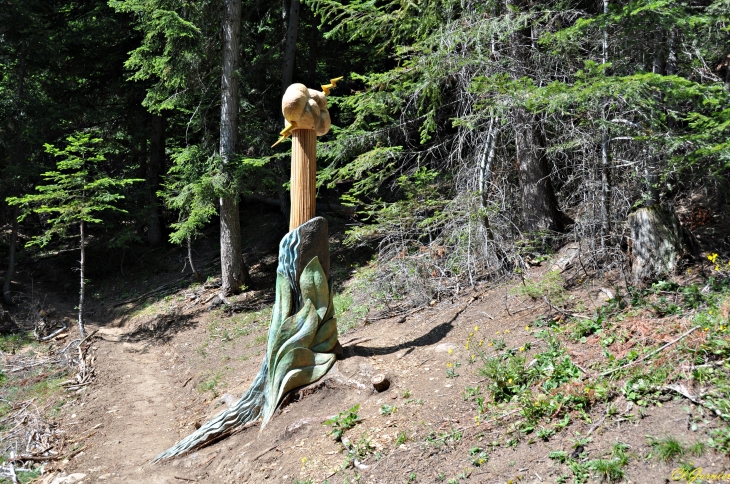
{"x": 302, "y": 336}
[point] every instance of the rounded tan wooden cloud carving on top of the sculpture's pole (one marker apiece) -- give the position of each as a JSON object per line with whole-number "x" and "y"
{"x": 305, "y": 108}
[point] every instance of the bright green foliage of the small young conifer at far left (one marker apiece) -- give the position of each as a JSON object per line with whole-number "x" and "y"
{"x": 78, "y": 191}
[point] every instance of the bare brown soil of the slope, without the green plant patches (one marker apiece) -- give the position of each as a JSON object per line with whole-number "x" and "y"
{"x": 150, "y": 392}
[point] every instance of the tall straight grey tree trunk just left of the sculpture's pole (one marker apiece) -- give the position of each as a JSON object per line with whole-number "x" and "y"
{"x": 234, "y": 273}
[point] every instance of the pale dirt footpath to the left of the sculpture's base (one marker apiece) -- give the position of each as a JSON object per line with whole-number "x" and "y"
{"x": 135, "y": 422}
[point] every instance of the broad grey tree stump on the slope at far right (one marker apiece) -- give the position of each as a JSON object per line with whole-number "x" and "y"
{"x": 657, "y": 243}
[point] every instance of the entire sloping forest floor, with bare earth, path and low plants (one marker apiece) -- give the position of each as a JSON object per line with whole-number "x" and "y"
{"x": 500, "y": 384}
